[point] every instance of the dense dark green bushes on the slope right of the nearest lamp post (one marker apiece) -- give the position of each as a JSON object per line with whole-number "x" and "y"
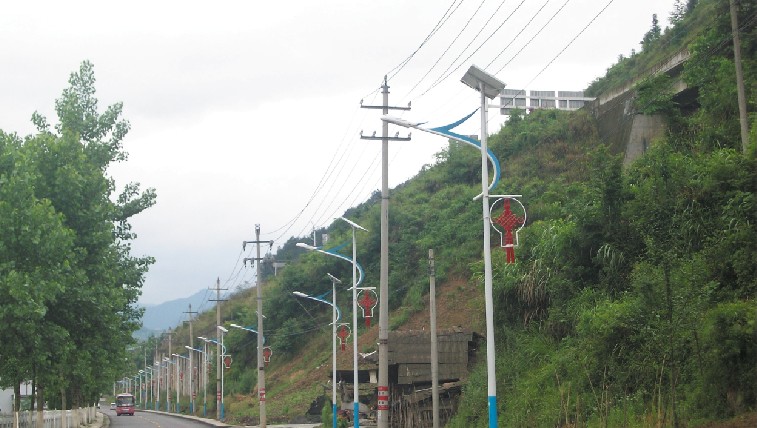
{"x": 632, "y": 302}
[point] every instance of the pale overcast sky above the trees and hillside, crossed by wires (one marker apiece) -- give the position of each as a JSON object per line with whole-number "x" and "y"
{"x": 248, "y": 112}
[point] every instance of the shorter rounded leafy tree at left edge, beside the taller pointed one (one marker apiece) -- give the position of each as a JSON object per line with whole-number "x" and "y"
{"x": 35, "y": 248}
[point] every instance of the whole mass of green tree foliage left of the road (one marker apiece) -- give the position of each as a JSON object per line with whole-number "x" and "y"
{"x": 64, "y": 243}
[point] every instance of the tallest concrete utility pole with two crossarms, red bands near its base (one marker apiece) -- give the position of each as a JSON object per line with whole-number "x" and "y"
{"x": 383, "y": 386}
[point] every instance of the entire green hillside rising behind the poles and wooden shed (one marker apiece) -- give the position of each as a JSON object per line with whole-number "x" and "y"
{"x": 632, "y": 302}
